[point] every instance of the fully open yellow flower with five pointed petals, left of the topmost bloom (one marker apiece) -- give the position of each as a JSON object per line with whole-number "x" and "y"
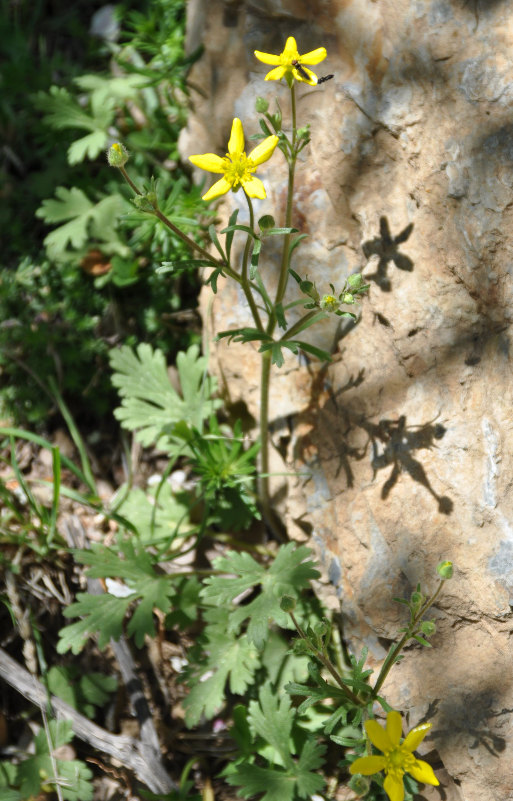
{"x": 237, "y": 168}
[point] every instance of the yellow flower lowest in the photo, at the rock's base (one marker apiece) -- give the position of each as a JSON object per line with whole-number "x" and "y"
{"x": 397, "y": 759}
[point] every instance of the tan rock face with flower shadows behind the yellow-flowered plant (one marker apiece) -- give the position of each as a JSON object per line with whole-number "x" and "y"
{"x": 408, "y": 434}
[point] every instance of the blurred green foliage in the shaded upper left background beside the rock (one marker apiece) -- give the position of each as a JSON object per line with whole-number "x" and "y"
{"x": 95, "y": 282}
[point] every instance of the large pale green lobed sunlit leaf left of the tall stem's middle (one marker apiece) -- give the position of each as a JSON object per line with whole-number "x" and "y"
{"x": 149, "y": 403}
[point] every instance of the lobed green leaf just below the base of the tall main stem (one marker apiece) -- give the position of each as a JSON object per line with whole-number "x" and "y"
{"x": 288, "y": 574}
